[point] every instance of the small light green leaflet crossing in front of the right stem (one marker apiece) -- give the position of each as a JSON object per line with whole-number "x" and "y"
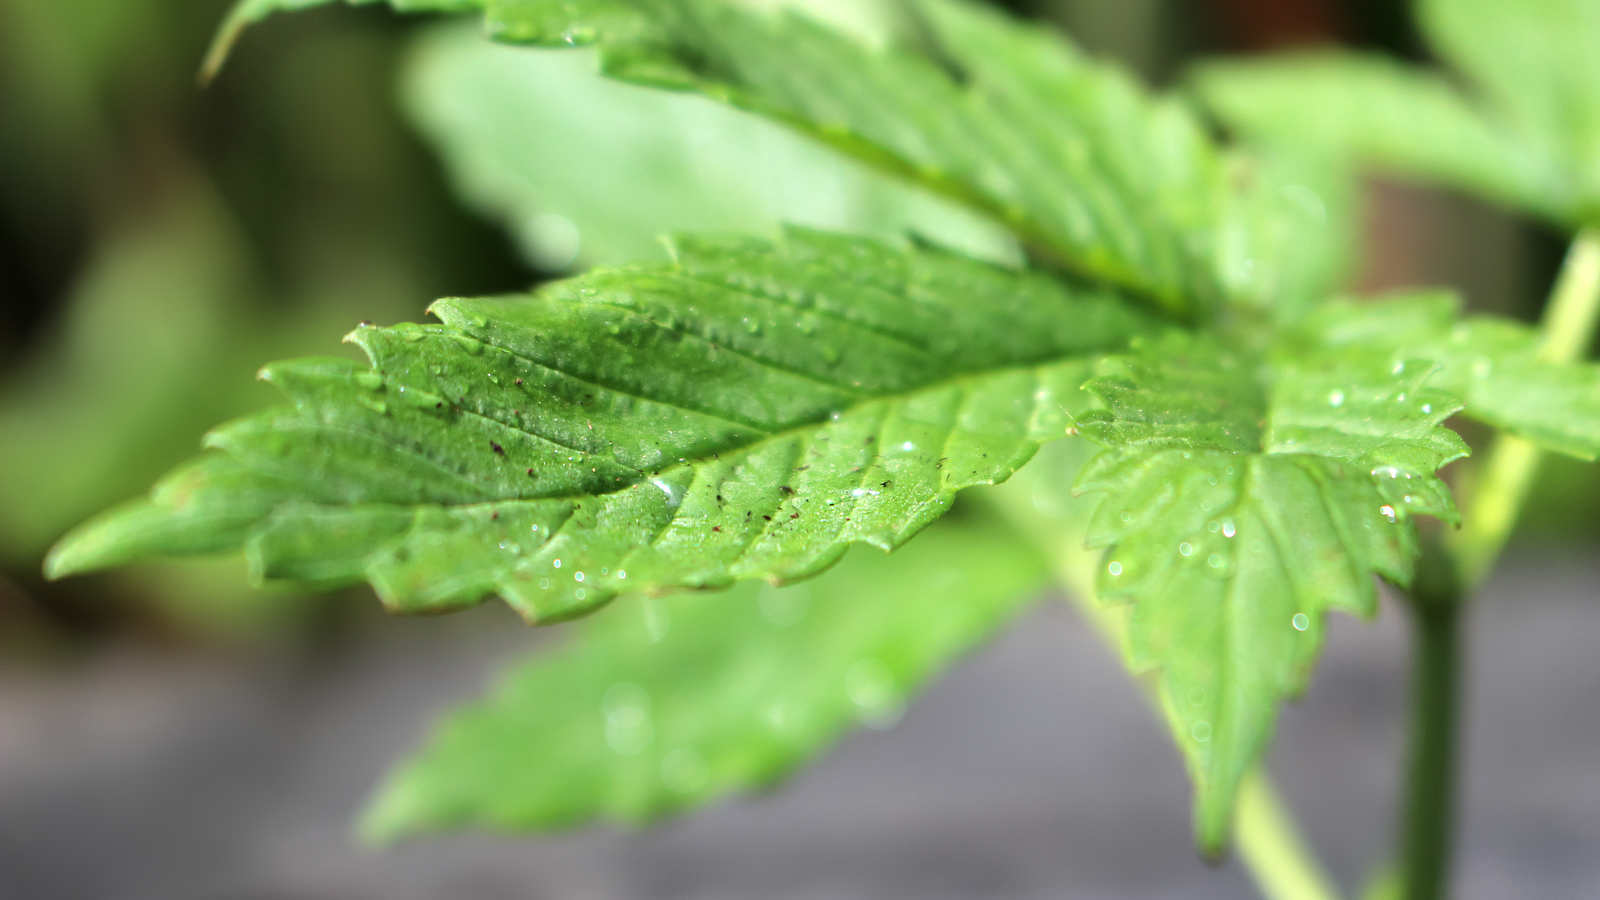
{"x": 1490, "y": 363}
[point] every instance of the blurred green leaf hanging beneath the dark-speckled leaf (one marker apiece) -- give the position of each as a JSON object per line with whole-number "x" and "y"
{"x": 663, "y": 705}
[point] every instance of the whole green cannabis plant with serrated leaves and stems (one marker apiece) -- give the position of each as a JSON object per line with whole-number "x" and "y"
{"x": 743, "y": 414}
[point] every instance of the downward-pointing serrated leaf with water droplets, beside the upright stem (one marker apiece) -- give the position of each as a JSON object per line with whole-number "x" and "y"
{"x": 1244, "y": 499}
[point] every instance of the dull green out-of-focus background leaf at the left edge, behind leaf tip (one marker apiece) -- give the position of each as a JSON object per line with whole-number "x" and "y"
{"x": 130, "y": 382}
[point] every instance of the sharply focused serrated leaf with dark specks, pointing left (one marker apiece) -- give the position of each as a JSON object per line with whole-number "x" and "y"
{"x": 745, "y": 412}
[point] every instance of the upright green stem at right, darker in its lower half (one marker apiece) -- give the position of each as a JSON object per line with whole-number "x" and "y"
{"x": 1449, "y": 574}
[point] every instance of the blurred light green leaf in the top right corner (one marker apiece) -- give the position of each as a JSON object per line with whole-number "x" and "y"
{"x": 1526, "y": 131}
